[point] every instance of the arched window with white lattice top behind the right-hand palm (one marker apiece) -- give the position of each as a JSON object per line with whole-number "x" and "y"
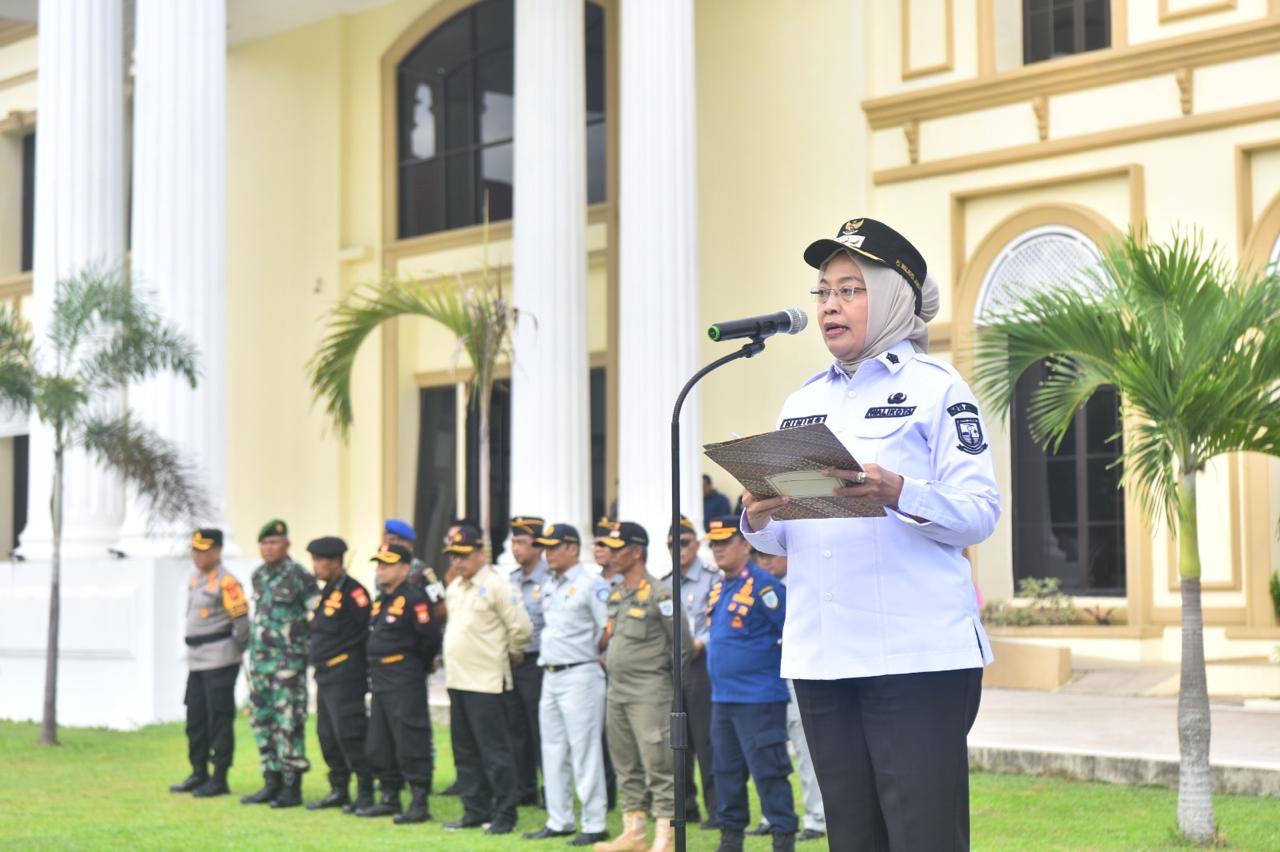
{"x": 1068, "y": 510}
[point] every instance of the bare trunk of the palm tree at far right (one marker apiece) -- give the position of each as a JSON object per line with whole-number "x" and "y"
{"x": 1195, "y": 781}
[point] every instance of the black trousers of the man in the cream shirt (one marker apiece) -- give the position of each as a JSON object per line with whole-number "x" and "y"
{"x": 482, "y": 753}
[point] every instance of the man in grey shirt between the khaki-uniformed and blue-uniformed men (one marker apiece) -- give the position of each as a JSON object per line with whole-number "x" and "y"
{"x": 696, "y": 587}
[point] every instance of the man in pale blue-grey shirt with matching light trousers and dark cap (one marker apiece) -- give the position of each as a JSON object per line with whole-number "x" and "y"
{"x": 572, "y": 712}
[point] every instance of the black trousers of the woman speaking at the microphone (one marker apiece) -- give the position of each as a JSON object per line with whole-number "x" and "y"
{"x": 892, "y": 757}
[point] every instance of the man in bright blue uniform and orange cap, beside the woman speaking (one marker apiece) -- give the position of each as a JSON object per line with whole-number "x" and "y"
{"x": 749, "y": 698}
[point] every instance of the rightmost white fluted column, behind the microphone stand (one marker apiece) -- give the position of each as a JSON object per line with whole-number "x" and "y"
{"x": 659, "y": 265}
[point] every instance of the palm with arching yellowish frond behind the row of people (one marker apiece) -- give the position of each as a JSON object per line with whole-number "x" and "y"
{"x": 478, "y": 314}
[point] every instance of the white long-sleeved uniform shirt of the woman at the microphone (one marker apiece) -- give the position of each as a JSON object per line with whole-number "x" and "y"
{"x": 871, "y": 597}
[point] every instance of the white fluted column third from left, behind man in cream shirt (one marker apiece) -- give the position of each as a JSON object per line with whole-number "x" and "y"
{"x": 551, "y": 409}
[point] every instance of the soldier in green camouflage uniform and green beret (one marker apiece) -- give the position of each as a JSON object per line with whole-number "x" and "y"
{"x": 285, "y": 596}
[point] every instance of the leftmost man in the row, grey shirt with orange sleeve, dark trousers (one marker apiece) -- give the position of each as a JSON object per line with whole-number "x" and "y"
{"x": 217, "y": 636}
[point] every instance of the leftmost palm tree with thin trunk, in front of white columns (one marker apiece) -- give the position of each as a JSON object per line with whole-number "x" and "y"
{"x": 102, "y": 338}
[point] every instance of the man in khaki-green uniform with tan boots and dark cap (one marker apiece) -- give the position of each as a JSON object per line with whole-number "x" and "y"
{"x": 639, "y": 638}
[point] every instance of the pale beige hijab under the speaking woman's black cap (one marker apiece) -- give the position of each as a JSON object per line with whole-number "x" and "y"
{"x": 892, "y": 315}
